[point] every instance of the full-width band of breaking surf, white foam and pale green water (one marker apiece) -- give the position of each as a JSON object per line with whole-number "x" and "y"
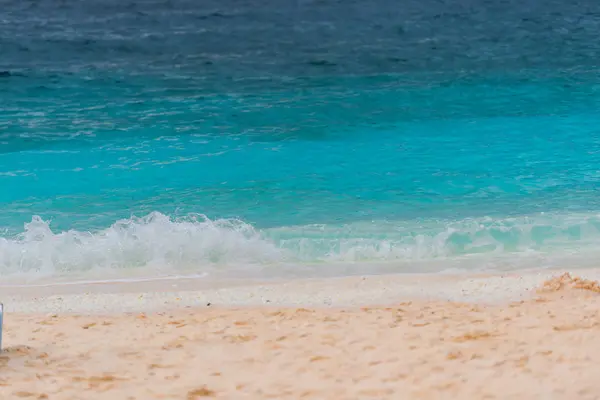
{"x": 158, "y": 245}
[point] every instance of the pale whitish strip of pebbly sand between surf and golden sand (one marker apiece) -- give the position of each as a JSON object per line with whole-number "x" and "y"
{"x": 152, "y": 295}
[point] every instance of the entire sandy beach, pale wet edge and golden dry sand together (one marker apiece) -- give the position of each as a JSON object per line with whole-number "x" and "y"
{"x": 382, "y": 337}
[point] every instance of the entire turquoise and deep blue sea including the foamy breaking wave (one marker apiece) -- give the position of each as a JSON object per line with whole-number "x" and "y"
{"x": 258, "y": 139}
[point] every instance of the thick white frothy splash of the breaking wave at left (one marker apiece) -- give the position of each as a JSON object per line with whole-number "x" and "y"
{"x": 154, "y": 241}
